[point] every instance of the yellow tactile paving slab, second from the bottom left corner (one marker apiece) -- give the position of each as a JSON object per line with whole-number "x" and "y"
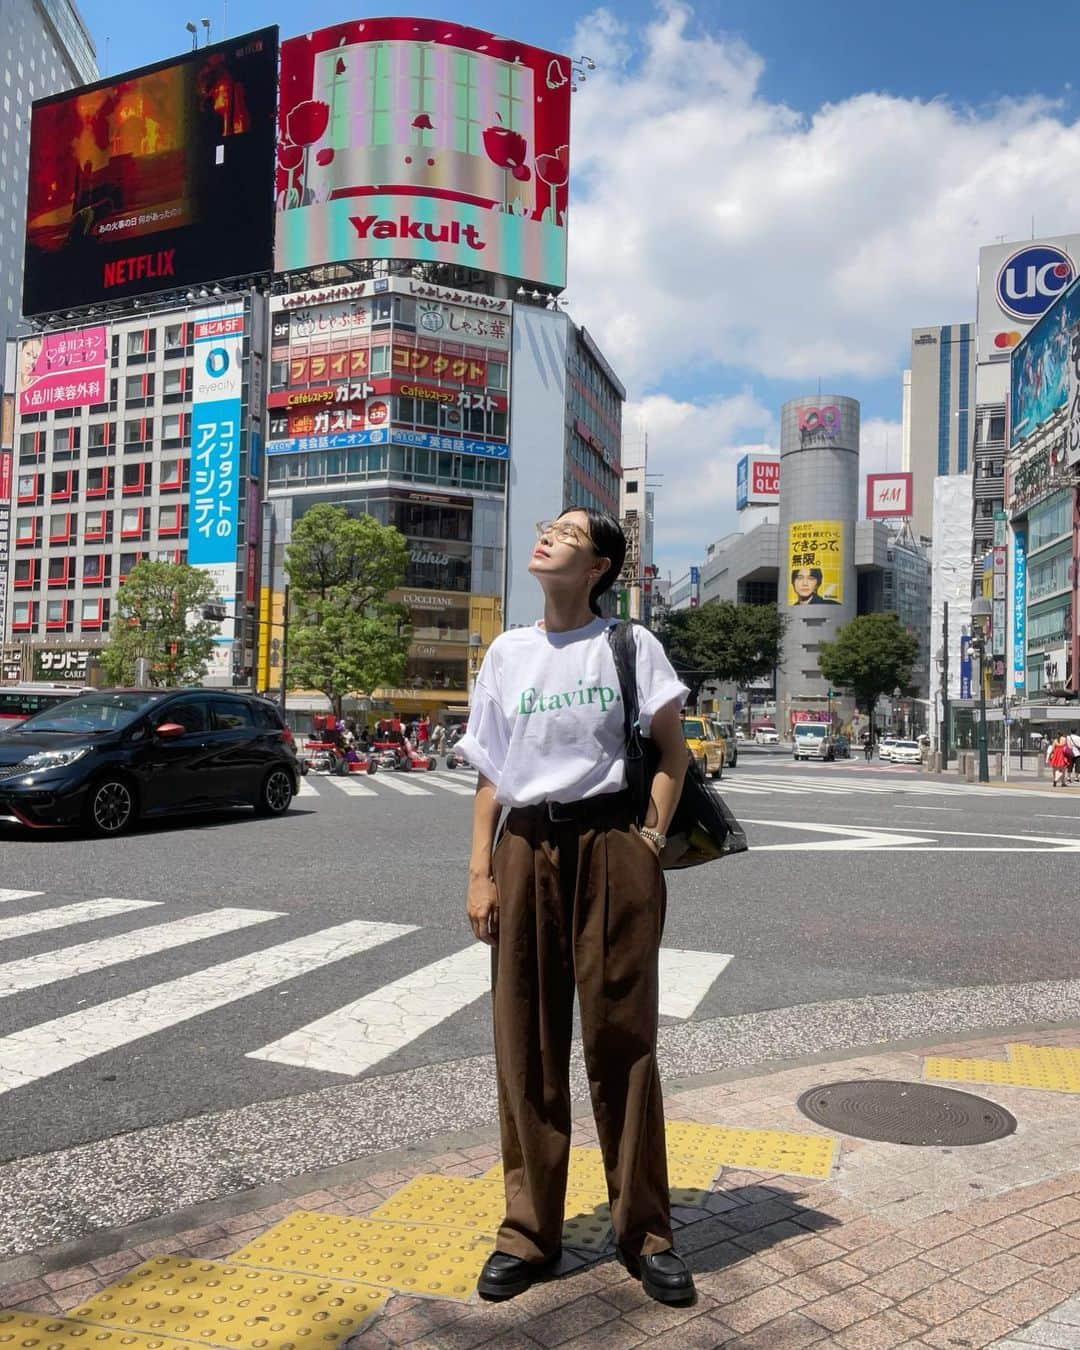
{"x": 230, "y": 1306}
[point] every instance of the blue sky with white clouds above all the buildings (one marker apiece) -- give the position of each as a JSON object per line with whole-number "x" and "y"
{"x": 842, "y": 163}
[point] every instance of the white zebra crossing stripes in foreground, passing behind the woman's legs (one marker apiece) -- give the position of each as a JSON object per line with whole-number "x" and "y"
{"x": 352, "y": 1040}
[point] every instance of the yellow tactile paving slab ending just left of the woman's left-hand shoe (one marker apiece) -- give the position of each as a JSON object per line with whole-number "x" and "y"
{"x": 410, "y": 1258}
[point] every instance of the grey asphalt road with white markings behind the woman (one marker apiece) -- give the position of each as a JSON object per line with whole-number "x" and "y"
{"x": 126, "y": 1024}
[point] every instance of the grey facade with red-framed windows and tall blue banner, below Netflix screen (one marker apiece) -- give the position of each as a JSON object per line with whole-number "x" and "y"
{"x": 113, "y": 469}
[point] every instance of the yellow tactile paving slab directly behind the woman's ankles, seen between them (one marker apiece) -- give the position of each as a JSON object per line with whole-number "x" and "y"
{"x": 480, "y": 1204}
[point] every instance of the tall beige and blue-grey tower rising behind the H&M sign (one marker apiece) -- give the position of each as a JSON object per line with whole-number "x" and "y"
{"x": 938, "y": 412}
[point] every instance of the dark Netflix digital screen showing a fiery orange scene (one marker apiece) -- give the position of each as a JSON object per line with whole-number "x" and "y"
{"x": 153, "y": 180}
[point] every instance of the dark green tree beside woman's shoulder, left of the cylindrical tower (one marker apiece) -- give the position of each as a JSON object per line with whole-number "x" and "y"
{"x": 723, "y": 642}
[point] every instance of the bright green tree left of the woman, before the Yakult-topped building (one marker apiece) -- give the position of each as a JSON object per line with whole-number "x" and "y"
{"x": 345, "y": 637}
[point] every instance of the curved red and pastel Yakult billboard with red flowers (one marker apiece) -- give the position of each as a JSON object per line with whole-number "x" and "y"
{"x": 419, "y": 138}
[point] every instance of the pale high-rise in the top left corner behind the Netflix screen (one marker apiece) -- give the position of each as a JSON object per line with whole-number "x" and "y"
{"x": 45, "y": 48}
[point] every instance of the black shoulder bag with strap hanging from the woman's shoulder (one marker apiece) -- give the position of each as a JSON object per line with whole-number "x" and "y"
{"x": 704, "y": 827}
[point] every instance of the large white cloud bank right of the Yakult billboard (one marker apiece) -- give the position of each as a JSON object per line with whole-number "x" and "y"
{"x": 712, "y": 225}
